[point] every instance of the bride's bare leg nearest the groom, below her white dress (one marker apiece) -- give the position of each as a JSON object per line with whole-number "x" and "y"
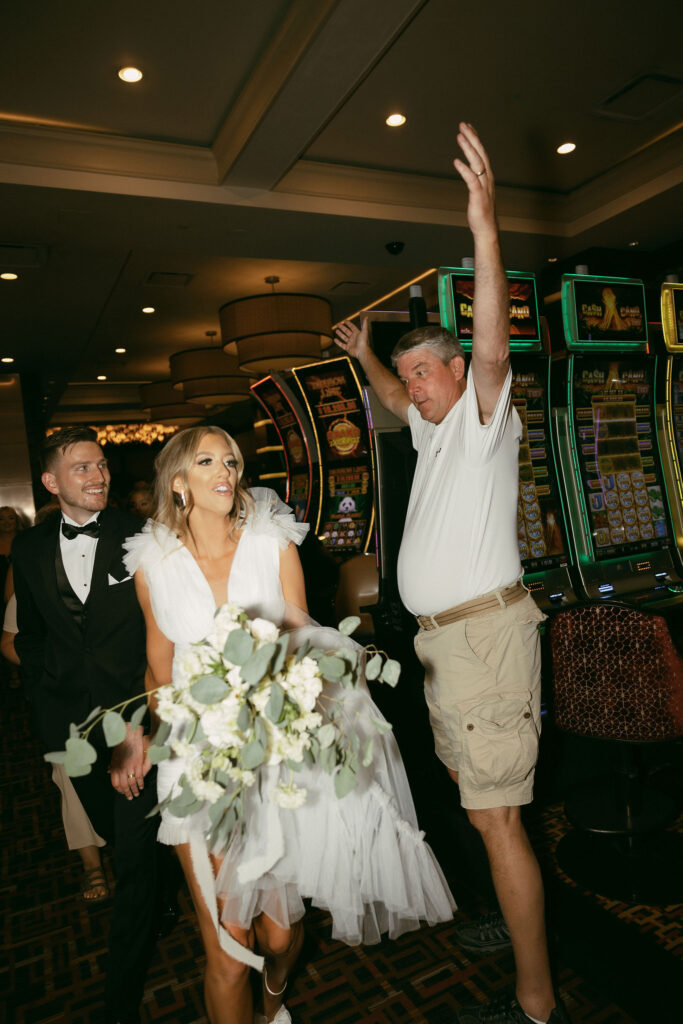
{"x": 227, "y": 989}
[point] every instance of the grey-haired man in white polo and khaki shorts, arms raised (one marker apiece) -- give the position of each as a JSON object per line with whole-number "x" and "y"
{"x": 459, "y": 573}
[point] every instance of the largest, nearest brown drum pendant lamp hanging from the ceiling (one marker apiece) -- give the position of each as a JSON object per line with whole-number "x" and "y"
{"x": 277, "y": 331}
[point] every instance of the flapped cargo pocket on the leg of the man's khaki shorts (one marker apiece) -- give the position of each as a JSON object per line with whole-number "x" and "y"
{"x": 500, "y": 740}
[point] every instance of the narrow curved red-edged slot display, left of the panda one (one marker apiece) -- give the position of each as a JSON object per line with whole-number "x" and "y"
{"x": 302, "y": 474}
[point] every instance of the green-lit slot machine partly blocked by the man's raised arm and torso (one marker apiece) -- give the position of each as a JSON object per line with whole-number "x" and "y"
{"x": 544, "y": 550}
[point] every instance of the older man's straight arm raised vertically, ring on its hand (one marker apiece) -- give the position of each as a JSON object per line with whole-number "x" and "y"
{"x": 491, "y": 328}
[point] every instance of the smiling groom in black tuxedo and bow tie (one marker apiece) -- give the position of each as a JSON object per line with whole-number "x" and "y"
{"x": 81, "y": 643}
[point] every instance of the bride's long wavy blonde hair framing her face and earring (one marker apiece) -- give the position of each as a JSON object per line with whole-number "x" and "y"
{"x": 177, "y": 459}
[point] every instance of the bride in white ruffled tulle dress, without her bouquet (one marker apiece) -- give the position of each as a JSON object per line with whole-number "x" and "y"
{"x": 361, "y": 858}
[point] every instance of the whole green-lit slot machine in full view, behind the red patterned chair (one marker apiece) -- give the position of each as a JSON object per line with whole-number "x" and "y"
{"x": 605, "y": 418}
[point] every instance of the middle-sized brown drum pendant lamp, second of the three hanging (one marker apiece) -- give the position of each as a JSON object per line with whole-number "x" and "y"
{"x": 209, "y": 376}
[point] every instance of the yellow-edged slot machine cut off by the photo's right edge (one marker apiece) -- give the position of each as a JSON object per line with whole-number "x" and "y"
{"x": 670, "y": 406}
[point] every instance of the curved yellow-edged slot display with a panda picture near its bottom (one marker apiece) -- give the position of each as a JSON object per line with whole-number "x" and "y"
{"x": 332, "y": 395}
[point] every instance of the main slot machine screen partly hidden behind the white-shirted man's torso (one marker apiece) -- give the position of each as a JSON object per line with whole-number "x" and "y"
{"x": 540, "y": 520}
